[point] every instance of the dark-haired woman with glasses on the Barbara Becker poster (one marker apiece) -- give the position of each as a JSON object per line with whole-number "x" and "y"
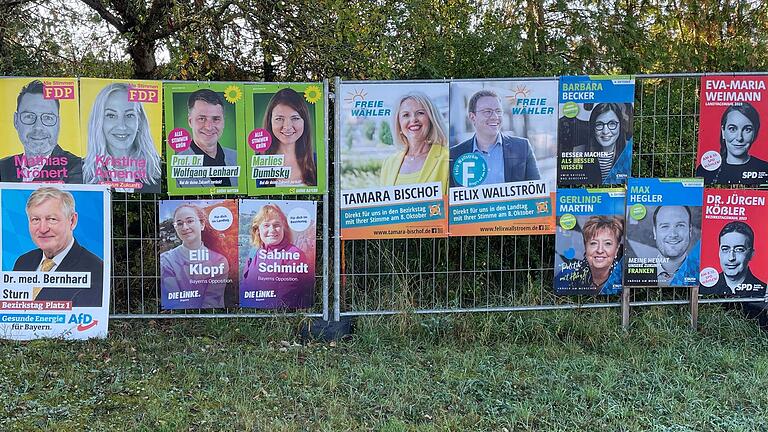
{"x": 609, "y": 126}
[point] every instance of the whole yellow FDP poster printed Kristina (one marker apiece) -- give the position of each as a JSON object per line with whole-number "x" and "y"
{"x": 122, "y": 125}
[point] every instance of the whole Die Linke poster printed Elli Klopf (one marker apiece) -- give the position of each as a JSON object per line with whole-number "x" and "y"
{"x": 198, "y": 253}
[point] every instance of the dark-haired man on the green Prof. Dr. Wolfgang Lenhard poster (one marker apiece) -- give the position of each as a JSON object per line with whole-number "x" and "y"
{"x": 206, "y": 119}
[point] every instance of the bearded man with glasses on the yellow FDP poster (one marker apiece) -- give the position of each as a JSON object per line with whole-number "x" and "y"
{"x": 37, "y": 122}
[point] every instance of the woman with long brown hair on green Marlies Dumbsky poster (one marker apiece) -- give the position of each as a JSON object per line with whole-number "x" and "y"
{"x": 288, "y": 122}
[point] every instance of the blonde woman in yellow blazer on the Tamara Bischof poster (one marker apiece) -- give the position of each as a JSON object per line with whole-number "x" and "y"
{"x": 424, "y": 157}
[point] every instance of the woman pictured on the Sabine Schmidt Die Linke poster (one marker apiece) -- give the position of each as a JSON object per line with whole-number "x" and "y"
{"x": 273, "y": 250}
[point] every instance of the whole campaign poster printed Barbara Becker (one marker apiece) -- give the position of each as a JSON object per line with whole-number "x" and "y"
{"x": 595, "y": 129}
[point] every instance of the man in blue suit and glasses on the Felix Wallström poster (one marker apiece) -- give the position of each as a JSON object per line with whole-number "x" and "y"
{"x": 508, "y": 158}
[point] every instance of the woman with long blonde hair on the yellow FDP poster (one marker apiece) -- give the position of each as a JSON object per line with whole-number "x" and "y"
{"x": 120, "y": 145}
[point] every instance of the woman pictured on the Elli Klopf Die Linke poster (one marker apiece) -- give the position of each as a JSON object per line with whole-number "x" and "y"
{"x": 193, "y": 289}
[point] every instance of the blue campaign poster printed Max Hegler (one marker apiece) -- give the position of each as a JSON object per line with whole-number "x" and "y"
{"x": 663, "y": 241}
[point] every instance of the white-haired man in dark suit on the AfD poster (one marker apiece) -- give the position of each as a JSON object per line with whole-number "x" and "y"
{"x": 52, "y": 220}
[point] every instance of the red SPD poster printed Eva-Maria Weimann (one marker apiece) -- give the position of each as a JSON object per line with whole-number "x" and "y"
{"x": 731, "y": 142}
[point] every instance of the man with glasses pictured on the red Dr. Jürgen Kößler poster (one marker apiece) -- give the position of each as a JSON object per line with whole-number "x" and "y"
{"x": 736, "y": 249}
